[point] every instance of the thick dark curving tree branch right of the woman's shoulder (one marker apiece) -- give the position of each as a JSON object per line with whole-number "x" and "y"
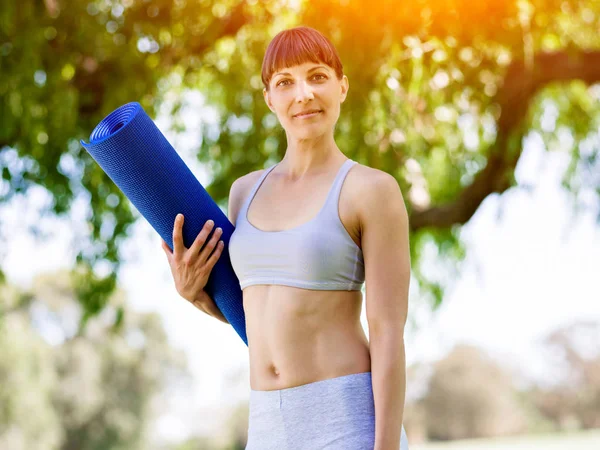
{"x": 519, "y": 86}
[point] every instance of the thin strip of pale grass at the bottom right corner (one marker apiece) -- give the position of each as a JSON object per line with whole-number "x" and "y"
{"x": 583, "y": 440}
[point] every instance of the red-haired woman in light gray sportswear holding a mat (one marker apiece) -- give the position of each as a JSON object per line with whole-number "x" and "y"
{"x": 309, "y": 231}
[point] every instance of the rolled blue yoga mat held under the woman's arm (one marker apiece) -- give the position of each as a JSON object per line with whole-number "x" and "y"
{"x": 138, "y": 158}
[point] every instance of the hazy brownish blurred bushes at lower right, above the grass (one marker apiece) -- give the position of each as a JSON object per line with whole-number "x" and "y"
{"x": 468, "y": 394}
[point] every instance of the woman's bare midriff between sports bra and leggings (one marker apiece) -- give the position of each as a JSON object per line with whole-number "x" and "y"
{"x": 299, "y": 336}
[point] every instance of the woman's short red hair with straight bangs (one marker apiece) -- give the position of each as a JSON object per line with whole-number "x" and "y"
{"x": 297, "y": 46}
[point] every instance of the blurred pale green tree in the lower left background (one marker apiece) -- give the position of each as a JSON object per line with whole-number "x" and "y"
{"x": 64, "y": 387}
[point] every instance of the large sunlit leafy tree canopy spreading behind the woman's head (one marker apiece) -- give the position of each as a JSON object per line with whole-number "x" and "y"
{"x": 442, "y": 95}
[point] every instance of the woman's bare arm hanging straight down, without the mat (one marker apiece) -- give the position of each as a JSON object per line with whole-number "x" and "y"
{"x": 385, "y": 245}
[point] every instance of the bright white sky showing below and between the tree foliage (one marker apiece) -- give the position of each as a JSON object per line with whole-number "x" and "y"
{"x": 530, "y": 268}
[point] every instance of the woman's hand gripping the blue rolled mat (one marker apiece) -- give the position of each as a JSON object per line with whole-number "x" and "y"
{"x": 191, "y": 267}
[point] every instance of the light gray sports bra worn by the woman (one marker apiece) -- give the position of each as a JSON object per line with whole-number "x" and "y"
{"x": 319, "y": 254}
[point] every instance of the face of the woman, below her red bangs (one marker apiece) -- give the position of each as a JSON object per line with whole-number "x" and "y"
{"x": 304, "y": 88}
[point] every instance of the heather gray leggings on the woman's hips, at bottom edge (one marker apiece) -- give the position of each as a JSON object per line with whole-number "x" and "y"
{"x": 333, "y": 414}
